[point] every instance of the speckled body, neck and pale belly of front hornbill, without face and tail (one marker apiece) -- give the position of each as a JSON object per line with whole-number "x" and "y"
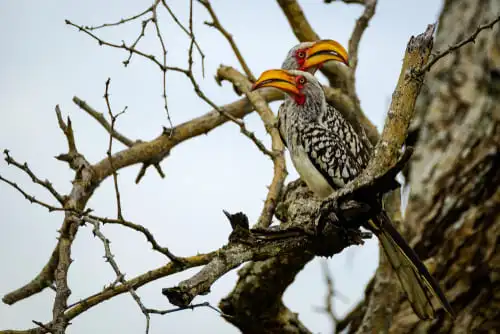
{"x": 311, "y": 137}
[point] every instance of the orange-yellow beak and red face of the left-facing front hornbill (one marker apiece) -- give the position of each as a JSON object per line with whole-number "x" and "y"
{"x": 284, "y": 81}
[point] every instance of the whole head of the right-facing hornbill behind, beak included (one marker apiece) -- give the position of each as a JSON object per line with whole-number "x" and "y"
{"x": 310, "y": 56}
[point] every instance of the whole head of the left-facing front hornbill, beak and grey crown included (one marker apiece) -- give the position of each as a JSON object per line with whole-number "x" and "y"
{"x": 302, "y": 86}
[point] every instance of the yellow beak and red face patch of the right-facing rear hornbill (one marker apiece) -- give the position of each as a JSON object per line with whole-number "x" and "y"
{"x": 312, "y": 58}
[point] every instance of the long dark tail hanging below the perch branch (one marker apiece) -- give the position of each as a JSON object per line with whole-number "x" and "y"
{"x": 416, "y": 281}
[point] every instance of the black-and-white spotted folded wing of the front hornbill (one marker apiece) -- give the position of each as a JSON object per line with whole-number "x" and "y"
{"x": 329, "y": 155}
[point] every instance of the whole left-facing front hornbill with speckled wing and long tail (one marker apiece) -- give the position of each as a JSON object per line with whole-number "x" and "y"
{"x": 325, "y": 156}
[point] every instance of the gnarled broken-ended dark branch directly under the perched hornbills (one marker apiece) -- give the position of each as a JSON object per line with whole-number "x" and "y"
{"x": 259, "y": 244}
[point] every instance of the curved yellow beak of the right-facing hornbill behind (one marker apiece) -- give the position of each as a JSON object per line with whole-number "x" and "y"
{"x": 323, "y": 51}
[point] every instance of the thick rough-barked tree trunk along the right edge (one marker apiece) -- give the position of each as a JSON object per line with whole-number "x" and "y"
{"x": 453, "y": 212}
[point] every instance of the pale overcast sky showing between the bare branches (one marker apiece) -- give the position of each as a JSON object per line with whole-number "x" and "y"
{"x": 45, "y": 62}
